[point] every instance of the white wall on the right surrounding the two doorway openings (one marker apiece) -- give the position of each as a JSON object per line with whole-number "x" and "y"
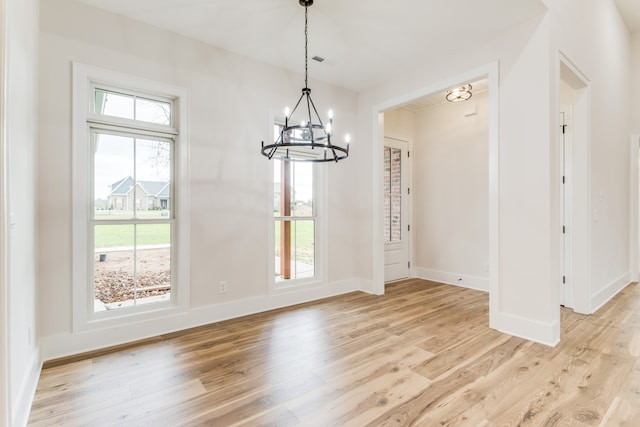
{"x": 524, "y": 289}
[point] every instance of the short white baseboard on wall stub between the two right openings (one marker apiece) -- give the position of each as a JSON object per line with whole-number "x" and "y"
{"x": 532, "y": 330}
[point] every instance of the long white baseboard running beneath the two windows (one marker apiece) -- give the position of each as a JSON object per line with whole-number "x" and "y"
{"x": 68, "y": 344}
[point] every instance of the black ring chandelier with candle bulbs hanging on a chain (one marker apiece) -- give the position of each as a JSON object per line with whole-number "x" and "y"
{"x": 304, "y": 136}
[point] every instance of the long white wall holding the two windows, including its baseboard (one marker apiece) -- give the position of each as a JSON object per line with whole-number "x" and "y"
{"x": 232, "y": 100}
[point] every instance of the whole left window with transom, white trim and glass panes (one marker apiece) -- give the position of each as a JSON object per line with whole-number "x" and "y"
{"x": 129, "y": 151}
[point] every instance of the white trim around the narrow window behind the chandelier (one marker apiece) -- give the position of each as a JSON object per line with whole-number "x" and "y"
{"x": 320, "y": 227}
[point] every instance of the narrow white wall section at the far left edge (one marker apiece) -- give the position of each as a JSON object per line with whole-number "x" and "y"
{"x": 20, "y": 123}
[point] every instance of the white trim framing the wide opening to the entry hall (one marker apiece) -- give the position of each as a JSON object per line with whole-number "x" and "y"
{"x": 491, "y": 72}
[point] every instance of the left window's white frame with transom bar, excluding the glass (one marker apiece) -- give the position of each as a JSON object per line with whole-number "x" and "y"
{"x": 85, "y": 120}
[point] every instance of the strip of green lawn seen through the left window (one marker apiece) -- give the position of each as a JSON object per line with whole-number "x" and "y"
{"x": 109, "y": 236}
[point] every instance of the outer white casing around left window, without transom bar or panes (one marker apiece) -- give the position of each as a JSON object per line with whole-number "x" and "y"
{"x": 84, "y": 77}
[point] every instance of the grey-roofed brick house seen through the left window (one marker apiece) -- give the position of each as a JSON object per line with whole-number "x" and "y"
{"x": 144, "y": 195}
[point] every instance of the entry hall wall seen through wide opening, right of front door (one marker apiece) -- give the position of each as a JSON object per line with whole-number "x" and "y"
{"x": 451, "y": 193}
